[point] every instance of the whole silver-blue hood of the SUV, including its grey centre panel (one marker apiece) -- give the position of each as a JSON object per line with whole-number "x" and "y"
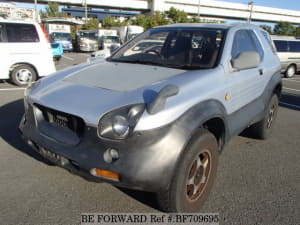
{"x": 94, "y": 89}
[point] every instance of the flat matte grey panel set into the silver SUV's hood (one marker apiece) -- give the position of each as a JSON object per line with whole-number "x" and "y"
{"x": 122, "y": 77}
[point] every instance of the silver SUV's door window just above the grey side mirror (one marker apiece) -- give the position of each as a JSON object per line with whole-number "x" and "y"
{"x": 242, "y": 43}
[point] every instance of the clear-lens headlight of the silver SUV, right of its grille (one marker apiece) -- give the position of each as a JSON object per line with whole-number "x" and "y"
{"x": 120, "y": 123}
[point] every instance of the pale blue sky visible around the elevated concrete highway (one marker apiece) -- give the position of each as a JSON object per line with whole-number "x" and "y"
{"x": 284, "y": 4}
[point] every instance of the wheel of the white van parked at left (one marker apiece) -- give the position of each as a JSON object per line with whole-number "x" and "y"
{"x": 23, "y": 75}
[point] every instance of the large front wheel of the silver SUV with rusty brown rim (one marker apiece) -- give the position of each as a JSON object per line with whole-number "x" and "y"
{"x": 193, "y": 177}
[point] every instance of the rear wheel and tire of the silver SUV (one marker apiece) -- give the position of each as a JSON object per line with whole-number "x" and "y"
{"x": 263, "y": 129}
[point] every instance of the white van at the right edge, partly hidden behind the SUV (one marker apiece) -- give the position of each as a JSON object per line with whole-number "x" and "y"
{"x": 288, "y": 50}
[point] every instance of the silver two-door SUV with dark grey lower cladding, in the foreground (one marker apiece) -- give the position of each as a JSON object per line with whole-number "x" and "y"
{"x": 155, "y": 117}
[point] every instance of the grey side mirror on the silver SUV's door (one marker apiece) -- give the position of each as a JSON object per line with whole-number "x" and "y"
{"x": 246, "y": 60}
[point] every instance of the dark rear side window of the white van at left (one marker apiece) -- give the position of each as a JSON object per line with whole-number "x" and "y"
{"x": 21, "y": 33}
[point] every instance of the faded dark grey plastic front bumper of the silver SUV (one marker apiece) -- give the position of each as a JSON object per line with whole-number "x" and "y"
{"x": 146, "y": 160}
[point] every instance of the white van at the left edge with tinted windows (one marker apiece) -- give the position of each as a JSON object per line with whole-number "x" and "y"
{"x": 25, "y": 52}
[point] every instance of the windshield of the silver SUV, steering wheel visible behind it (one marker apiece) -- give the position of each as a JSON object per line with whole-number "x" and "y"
{"x": 188, "y": 48}
